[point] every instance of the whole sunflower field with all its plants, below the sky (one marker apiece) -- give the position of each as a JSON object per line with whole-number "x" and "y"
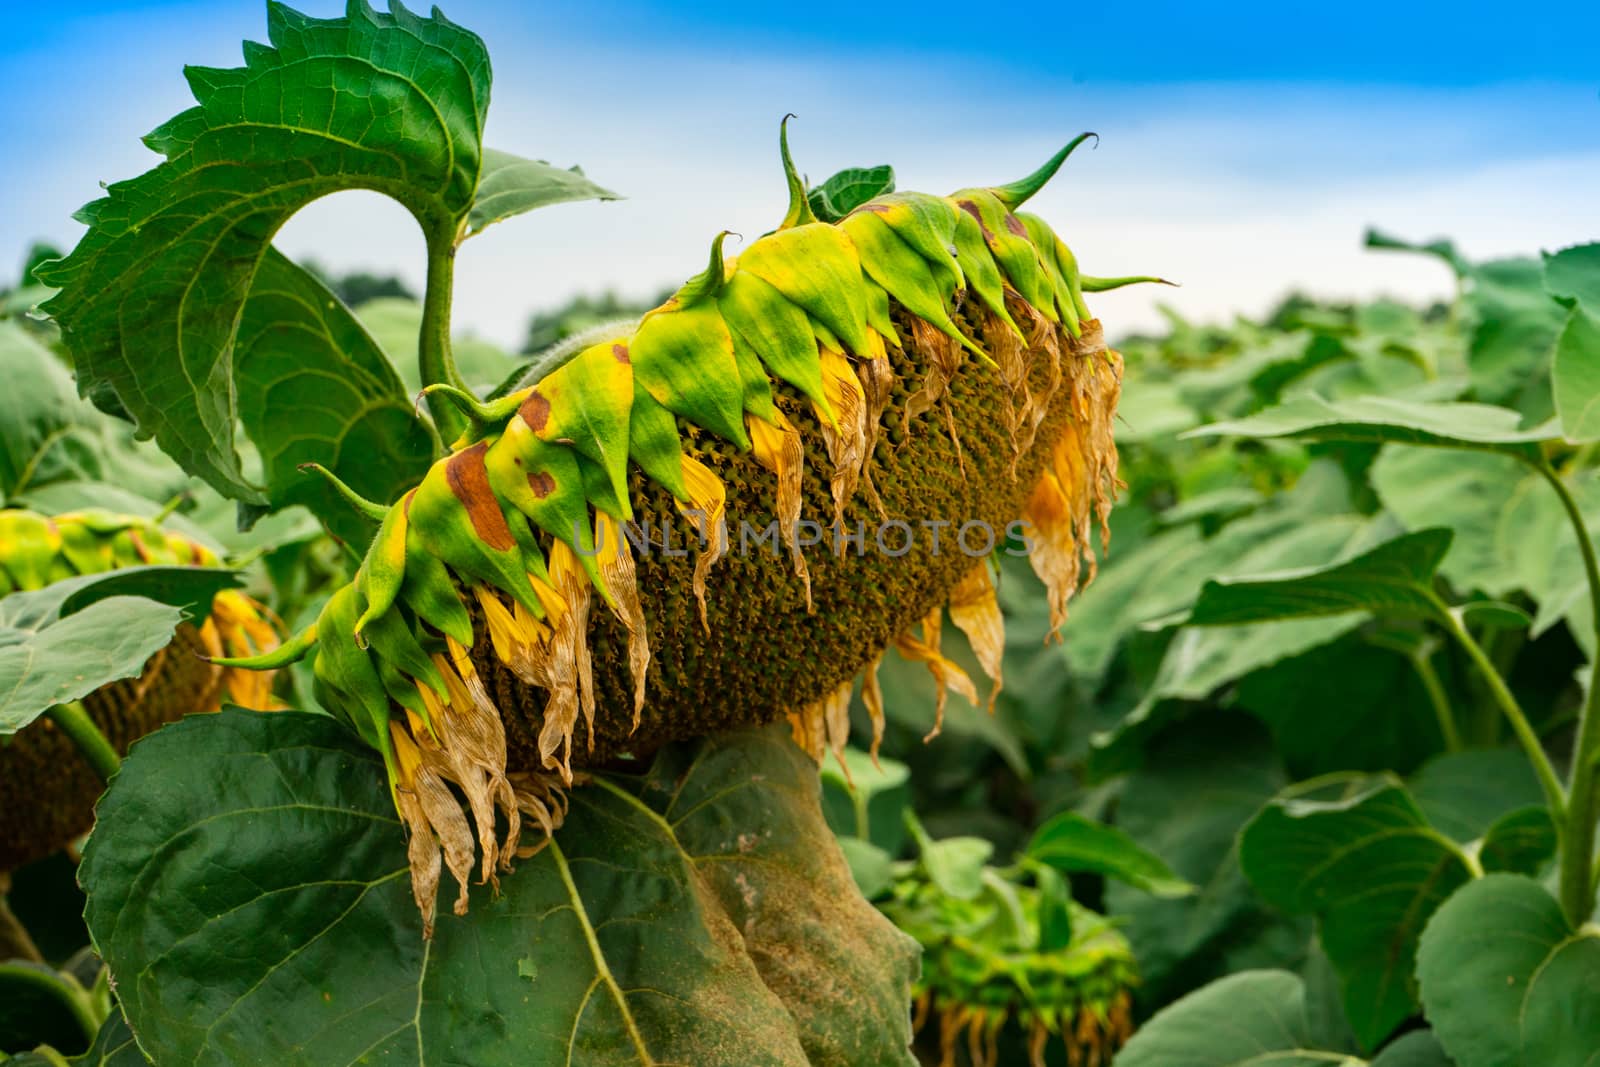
{"x": 860, "y": 655}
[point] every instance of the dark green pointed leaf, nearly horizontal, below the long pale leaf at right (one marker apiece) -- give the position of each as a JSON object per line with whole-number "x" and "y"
{"x": 1393, "y": 580}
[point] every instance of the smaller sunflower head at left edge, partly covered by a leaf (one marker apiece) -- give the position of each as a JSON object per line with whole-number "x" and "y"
{"x": 47, "y": 789}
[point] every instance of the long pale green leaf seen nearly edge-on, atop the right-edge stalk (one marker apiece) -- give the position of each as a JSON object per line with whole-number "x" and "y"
{"x": 1388, "y": 420}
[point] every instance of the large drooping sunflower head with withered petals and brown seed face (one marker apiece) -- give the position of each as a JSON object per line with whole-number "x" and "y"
{"x": 727, "y": 513}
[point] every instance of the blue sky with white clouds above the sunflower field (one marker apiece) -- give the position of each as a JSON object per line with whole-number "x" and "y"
{"x": 1244, "y": 148}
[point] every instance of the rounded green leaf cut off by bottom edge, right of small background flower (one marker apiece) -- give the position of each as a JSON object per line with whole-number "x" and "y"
{"x": 1250, "y": 1020}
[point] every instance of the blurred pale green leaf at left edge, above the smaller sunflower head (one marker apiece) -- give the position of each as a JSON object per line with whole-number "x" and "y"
{"x": 50, "y": 436}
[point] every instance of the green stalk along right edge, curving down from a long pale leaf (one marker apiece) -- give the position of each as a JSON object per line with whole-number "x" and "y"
{"x": 1578, "y": 834}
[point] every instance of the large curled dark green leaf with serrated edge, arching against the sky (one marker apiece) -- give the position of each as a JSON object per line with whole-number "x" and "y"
{"x": 151, "y": 298}
